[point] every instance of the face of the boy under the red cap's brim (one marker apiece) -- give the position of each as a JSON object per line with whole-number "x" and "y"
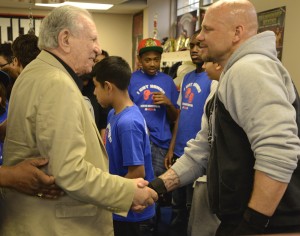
{"x": 150, "y": 62}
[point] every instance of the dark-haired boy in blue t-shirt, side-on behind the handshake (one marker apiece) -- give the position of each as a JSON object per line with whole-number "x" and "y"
{"x": 127, "y": 139}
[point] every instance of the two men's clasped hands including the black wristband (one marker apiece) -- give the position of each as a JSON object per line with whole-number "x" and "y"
{"x": 147, "y": 193}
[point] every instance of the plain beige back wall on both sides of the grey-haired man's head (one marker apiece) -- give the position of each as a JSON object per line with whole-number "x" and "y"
{"x": 115, "y": 31}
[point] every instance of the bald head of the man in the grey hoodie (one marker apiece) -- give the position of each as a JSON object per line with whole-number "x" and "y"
{"x": 226, "y": 25}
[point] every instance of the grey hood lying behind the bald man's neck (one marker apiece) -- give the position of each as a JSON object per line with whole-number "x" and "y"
{"x": 263, "y": 43}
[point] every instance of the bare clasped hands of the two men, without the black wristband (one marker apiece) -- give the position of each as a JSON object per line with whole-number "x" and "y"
{"x": 143, "y": 196}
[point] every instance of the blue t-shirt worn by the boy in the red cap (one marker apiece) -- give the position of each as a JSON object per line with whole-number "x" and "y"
{"x": 140, "y": 90}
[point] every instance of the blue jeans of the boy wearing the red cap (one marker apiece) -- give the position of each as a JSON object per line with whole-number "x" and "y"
{"x": 158, "y": 159}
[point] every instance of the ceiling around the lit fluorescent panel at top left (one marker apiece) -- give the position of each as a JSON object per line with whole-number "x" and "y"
{"x": 120, "y": 6}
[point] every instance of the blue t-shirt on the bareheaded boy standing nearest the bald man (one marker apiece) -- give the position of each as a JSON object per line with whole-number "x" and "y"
{"x": 193, "y": 94}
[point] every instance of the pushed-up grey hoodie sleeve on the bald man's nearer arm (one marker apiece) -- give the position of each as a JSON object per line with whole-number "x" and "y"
{"x": 259, "y": 98}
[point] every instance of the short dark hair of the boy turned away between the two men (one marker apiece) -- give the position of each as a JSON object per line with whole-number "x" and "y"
{"x": 113, "y": 69}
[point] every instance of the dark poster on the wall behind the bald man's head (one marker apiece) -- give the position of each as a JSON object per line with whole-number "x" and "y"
{"x": 273, "y": 20}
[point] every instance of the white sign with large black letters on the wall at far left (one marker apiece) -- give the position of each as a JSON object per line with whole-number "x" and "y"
{"x": 11, "y": 26}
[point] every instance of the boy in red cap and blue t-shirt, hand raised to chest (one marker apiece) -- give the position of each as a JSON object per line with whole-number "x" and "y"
{"x": 155, "y": 94}
